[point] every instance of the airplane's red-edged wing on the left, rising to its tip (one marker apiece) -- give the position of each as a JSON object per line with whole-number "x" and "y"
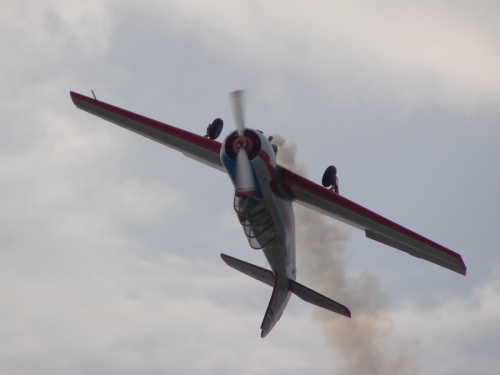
{"x": 197, "y": 147}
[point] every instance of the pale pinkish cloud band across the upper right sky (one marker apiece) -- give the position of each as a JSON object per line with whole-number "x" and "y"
{"x": 431, "y": 52}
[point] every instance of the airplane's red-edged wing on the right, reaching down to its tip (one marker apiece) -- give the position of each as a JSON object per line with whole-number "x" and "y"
{"x": 376, "y": 227}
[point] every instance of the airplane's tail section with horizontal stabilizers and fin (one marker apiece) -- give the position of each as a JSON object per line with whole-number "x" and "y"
{"x": 282, "y": 289}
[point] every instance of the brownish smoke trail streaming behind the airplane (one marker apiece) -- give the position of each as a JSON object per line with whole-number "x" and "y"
{"x": 362, "y": 344}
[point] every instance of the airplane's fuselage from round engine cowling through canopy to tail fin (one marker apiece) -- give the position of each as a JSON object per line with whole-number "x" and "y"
{"x": 266, "y": 217}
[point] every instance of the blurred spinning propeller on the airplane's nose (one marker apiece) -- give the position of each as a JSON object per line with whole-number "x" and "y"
{"x": 245, "y": 183}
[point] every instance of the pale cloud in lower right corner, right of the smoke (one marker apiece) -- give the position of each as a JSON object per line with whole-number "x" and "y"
{"x": 461, "y": 331}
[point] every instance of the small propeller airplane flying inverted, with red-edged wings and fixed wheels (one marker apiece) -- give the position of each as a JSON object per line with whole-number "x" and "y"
{"x": 264, "y": 192}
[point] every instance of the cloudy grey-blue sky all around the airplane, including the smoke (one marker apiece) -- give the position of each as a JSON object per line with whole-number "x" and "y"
{"x": 110, "y": 242}
